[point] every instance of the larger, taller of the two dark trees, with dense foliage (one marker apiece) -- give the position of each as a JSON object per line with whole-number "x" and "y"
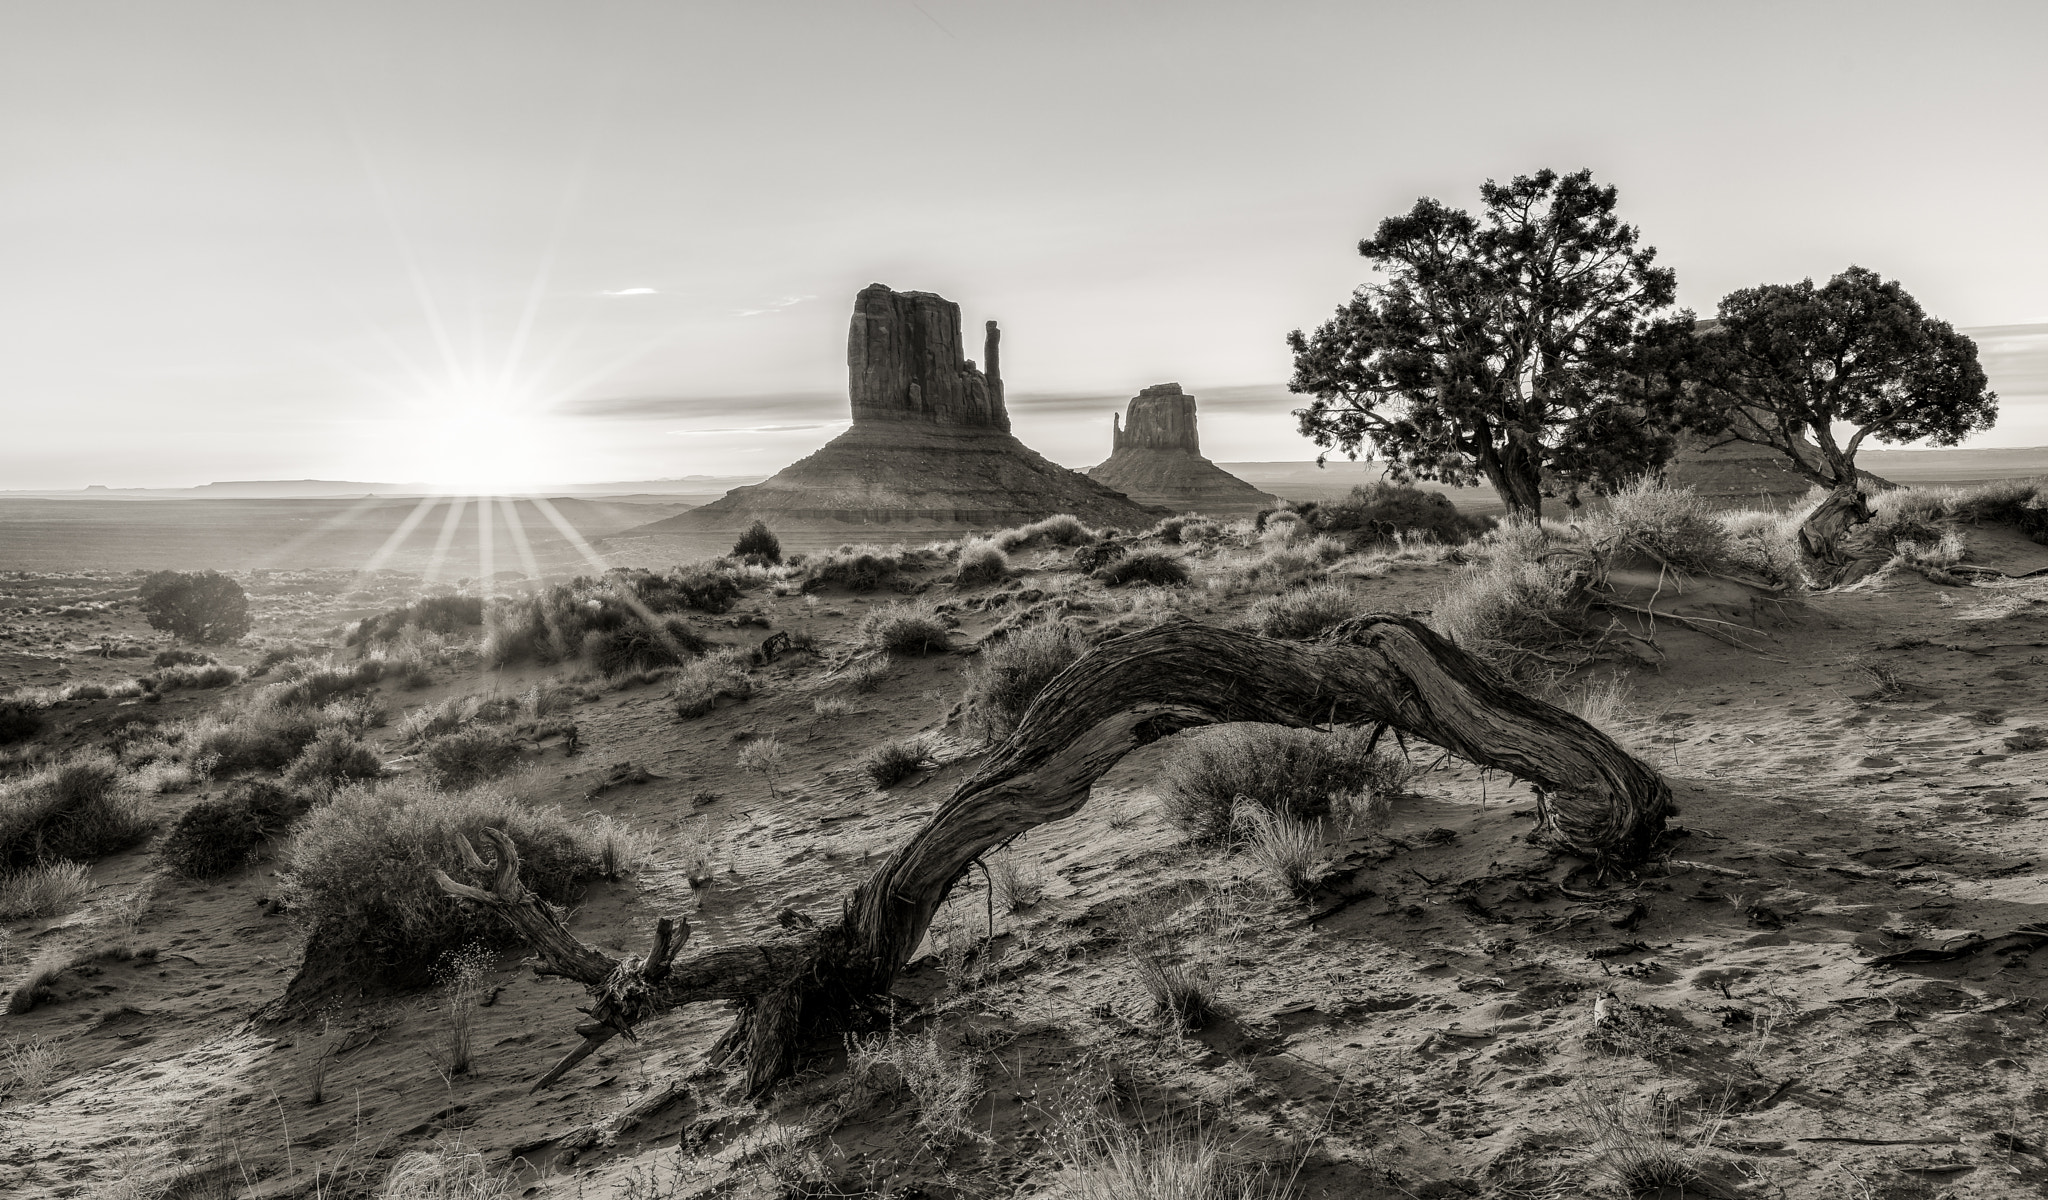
{"x": 1529, "y": 347}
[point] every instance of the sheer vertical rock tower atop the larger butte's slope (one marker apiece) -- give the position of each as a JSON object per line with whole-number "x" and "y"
{"x": 904, "y": 361}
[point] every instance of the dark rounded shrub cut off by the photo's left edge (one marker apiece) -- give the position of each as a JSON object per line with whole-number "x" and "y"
{"x": 75, "y": 810}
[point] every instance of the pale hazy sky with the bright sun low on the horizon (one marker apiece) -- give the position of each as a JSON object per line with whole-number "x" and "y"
{"x": 577, "y": 241}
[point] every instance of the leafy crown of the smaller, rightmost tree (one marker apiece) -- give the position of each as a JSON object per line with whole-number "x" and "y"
{"x": 1791, "y": 361}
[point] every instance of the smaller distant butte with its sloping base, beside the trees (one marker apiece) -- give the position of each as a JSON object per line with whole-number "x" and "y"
{"x": 1156, "y": 458}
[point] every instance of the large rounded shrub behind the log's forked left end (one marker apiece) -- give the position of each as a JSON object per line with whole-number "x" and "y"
{"x": 361, "y": 871}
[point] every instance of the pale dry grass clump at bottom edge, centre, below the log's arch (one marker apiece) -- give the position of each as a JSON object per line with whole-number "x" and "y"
{"x": 1160, "y": 1160}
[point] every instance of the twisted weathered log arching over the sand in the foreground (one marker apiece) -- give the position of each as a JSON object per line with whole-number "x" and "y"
{"x": 1592, "y": 800}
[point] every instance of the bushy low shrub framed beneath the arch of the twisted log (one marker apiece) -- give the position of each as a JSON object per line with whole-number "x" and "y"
{"x": 1299, "y": 773}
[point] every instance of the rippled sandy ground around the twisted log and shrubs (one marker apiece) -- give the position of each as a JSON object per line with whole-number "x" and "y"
{"x": 1424, "y": 1027}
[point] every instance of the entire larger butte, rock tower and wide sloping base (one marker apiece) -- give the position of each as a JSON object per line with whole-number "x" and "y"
{"x": 931, "y": 447}
